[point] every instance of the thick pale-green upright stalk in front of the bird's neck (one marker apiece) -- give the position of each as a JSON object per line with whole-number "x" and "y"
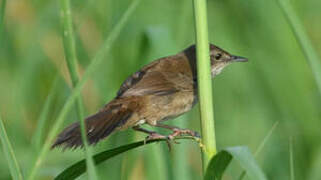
{"x": 204, "y": 82}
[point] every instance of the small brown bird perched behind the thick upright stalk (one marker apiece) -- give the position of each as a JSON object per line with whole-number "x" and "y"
{"x": 161, "y": 90}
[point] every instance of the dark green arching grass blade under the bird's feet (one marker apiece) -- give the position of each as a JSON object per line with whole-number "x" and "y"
{"x": 79, "y": 168}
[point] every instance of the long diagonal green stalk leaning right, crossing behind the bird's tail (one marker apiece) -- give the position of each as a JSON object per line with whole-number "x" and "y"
{"x": 76, "y": 91}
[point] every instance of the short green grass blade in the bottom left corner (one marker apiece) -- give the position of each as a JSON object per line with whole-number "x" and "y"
{"x": 9, "y": 154}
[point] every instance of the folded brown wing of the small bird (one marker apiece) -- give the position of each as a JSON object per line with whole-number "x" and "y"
{"x": 162, "y": 77}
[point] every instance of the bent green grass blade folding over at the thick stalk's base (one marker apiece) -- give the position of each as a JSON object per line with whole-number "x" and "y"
{"x": 242, "y": 154}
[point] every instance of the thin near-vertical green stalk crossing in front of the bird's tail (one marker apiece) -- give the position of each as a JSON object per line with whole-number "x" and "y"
{"x": 71, "y": 59}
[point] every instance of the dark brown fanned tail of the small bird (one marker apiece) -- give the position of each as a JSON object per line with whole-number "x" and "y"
{"x": 98, "y": 126}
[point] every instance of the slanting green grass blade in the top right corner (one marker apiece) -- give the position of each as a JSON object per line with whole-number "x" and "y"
{"x": 303, "y": 40}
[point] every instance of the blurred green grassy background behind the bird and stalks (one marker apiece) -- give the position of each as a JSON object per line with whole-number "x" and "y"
{"x": 276, "y": 85}
